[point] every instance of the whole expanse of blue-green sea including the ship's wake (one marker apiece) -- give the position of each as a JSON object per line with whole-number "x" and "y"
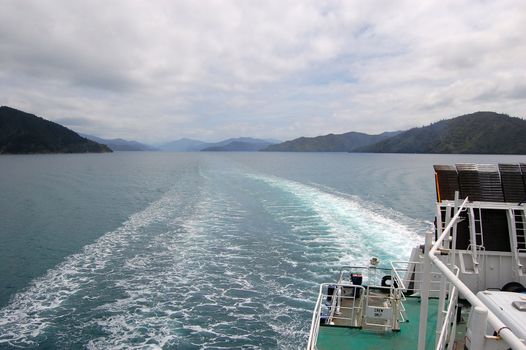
{"x": 198, "y": 250}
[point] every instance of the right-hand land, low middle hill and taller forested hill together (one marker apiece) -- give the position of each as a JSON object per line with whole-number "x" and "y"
{"x": 475, "y": 133}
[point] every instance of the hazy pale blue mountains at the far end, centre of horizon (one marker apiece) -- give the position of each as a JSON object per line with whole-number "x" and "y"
{"x": 247, "y": 144}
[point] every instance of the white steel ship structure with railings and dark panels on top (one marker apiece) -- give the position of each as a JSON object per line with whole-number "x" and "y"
{"x": 479, "y": 253}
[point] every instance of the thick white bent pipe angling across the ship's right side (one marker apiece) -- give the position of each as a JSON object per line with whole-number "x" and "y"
{"x": 504, "y": 332}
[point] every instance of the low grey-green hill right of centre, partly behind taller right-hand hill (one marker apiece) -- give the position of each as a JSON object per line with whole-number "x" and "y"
{"x": 330, "y": 143}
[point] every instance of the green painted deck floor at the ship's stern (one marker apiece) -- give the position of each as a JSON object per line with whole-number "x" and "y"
{"x": 331, "y": 337}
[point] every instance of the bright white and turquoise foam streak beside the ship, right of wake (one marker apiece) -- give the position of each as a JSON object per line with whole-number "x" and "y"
{"x": 359, "y": 230}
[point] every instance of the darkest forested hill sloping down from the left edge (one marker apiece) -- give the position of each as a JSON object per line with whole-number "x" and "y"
{"x": 22, "y": 132}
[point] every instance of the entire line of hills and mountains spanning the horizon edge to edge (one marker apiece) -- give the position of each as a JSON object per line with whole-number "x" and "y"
{"x": 476, "y": 133}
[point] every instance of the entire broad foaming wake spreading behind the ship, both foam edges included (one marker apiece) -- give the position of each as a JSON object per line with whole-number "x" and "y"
{"x": 188, "y": 273}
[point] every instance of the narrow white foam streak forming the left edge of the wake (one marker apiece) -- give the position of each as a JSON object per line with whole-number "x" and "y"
{"x": 28, "y": 314}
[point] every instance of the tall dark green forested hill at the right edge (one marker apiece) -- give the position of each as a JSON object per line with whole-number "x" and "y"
{"x": 476, "y": 133}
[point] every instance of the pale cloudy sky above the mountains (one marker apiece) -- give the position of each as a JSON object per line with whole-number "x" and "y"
{"x": 156, "y": 71}
